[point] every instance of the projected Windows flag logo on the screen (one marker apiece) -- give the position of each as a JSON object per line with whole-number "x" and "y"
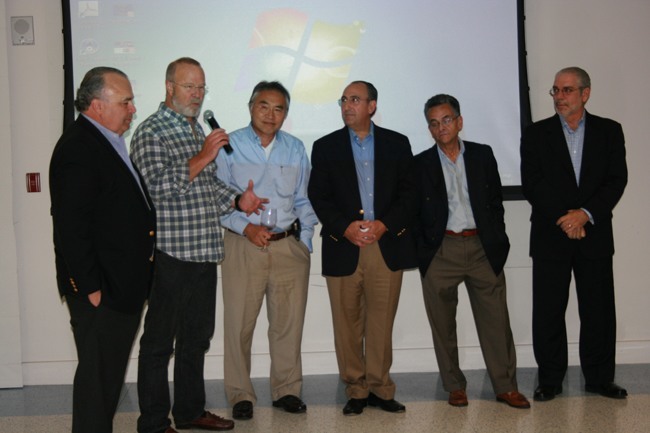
{"x": 312, "y": 59}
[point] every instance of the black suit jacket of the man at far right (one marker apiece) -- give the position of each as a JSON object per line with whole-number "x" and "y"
{"x": 549, "y": 184}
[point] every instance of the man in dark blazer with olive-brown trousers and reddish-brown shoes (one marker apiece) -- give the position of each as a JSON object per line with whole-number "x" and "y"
{"x": 462, "y": 239}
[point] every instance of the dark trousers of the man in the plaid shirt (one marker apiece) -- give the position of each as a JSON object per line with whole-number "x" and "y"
{"x": 181, "y": 308}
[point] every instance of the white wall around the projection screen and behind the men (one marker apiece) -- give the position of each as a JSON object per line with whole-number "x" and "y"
{"x": 607, "y": 38}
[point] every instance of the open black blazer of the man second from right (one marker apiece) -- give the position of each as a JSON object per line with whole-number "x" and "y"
{"x": 484, "y": 187}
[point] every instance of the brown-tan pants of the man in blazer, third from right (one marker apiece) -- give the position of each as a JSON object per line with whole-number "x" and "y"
{"x": 363, "y": 311}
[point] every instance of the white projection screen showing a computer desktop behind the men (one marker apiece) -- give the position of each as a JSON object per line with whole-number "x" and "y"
{"x": 409, "y": 49}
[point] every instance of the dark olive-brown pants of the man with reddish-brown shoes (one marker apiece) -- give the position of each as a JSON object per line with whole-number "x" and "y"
{"x": 462, "y": 259}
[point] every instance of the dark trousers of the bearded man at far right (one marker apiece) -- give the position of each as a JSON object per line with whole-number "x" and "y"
{"x": 595, "y": 289}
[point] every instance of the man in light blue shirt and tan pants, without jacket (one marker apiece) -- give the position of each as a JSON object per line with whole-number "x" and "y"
{"x": 266, "y": 261}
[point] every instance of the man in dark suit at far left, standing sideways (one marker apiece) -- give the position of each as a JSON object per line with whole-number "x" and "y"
{"x": 104, "y": 236}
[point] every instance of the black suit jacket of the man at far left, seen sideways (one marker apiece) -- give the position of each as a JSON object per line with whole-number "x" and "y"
{"x": 104, "y": 227}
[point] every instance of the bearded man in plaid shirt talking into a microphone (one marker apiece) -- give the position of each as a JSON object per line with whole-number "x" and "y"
{"x": 177, "y": 162}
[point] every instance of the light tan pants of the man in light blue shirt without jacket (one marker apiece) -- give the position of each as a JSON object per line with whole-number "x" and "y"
{"x": 281, "y": 273}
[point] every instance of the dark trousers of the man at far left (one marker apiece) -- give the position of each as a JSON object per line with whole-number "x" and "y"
{"x": 103, "y": 338}
